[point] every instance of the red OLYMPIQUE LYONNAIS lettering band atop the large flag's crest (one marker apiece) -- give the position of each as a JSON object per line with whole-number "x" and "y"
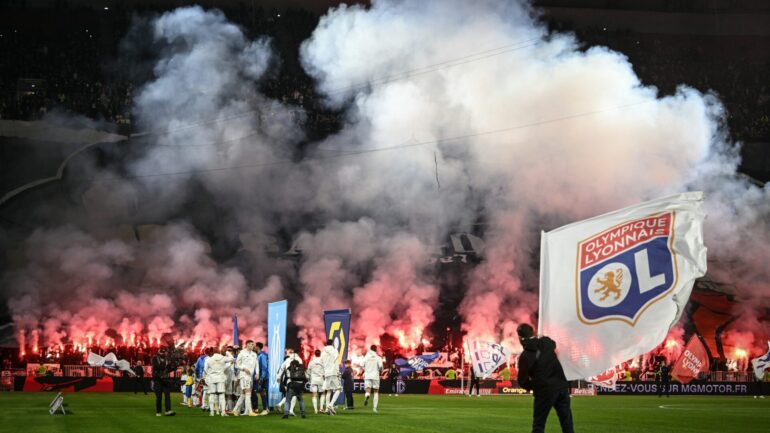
{"x": 625, "y": 236}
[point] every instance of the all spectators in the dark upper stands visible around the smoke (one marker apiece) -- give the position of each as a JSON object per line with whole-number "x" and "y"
{"x": 42, "y": 70}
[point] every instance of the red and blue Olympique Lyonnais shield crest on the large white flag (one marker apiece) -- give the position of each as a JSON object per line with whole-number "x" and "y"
{"x": 622, "y": 271}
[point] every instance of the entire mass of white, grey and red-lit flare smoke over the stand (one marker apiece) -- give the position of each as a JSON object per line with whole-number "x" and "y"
{"x": 455, "y": 112}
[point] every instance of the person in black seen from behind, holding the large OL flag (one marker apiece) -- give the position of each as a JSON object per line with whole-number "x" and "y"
{"x": 541, "y": 372}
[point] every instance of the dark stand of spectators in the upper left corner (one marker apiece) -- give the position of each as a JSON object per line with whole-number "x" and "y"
{"x": 42, "y": 70}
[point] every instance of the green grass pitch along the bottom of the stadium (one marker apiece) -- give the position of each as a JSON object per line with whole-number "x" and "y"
{"x": 121, "y": 412}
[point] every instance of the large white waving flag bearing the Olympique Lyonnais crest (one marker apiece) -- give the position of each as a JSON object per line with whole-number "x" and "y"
{"x": 612, "y": 286}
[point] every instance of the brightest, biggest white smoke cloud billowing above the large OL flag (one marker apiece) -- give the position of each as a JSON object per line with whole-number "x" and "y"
{"x": 580, "y": 136}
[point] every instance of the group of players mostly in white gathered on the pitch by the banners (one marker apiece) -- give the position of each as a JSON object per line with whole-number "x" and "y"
{"x": 218, "y": 376}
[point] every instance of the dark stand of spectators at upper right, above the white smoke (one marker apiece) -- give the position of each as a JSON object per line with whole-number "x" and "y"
{"x": 734, "y": 68}
